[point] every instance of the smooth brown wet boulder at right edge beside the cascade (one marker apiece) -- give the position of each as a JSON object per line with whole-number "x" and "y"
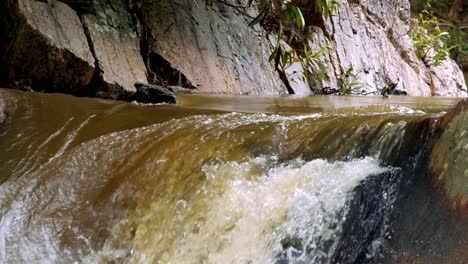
{"x": 429, "y": 224}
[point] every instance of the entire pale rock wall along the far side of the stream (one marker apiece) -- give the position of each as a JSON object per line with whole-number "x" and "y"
{"x": 47, "y": 45}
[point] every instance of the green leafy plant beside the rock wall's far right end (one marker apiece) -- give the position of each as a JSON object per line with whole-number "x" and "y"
{"x": 429, "y": 40}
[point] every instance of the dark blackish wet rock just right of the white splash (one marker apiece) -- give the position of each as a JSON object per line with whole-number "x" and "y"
{"x": 368, "y": 219}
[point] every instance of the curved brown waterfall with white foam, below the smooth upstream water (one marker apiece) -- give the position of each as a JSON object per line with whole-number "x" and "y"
{"x": 199, "y": 189}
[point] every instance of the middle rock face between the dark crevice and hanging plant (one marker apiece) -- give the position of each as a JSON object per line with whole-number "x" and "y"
{"x": 211, "y": 44}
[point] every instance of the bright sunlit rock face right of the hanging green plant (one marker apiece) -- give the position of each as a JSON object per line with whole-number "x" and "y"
{"x": 372, "y": 37}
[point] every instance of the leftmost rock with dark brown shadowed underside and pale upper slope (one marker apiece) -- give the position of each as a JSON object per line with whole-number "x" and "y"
{"x": 44, "y": 45}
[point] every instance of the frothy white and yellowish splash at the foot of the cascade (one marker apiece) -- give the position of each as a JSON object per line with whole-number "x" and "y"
{"x": 257, "y": 211}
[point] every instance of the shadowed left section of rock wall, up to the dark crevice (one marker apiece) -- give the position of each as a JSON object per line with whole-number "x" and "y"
{"x": 47, "y": 46}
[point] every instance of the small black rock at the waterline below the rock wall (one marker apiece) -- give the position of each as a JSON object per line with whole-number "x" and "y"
{"x": 148, "y": 93}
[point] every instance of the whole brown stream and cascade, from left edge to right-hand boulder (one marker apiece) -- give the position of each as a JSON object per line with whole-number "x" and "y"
{"x": 209, "y": 187}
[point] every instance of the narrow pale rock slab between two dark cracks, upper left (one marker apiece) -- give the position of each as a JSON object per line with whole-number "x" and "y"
{"x": 114, "y": 40}
